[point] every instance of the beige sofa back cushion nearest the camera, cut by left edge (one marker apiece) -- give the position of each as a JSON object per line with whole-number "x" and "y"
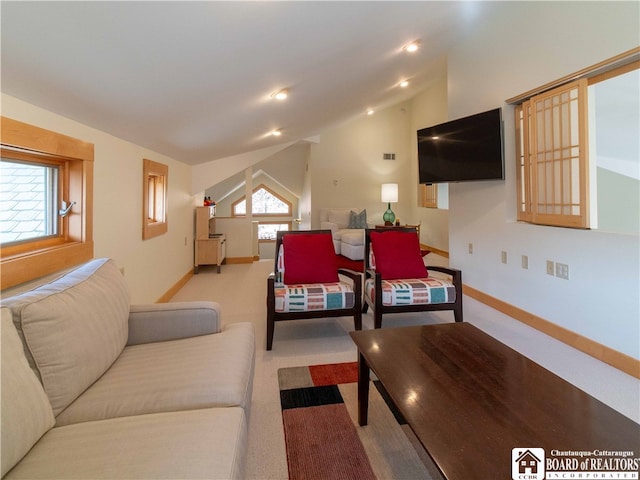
{"x": 26, "y": 412}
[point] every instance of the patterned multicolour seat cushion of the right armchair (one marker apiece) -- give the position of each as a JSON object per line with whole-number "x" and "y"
{"x": 413, "y": 291}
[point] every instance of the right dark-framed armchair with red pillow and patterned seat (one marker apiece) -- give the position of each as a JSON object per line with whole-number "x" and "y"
{"x": 396, "y": 279}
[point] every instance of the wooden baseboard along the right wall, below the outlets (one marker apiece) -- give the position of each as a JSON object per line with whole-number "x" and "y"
{"x": 601, "y": 352}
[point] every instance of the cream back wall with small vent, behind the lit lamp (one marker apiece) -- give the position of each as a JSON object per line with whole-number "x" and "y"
{"x": 347, "y": 170}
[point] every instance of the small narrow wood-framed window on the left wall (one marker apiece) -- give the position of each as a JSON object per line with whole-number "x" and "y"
{"x": 155, "y": 188}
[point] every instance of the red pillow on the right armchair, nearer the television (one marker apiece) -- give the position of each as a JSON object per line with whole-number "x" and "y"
{"x": 397, "y": 255}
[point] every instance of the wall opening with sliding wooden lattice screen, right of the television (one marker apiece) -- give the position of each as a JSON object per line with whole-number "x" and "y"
{"x": 558, "y": 169}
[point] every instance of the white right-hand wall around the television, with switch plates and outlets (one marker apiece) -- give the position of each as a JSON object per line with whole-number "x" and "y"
{"x": 528, "y": 44}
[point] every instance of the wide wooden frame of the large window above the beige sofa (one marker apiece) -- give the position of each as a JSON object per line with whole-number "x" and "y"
{"x": 73, "y": 245}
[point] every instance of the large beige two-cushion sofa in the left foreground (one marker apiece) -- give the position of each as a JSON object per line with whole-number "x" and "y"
{"x": 93, "y": 387}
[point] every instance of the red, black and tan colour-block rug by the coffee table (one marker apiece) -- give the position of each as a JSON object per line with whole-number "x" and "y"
{"x": 323, "y": 439}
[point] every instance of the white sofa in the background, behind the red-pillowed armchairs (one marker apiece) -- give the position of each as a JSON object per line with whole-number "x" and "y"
{"x": 348, "y": 242}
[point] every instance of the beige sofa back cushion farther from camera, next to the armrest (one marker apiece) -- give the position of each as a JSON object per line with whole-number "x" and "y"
{"x": 74, "y": 328}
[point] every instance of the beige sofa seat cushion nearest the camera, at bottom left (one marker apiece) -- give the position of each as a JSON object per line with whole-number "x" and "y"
{"x": 206, "y": 443}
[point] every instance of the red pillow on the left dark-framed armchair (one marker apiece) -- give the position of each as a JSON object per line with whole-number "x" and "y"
{"x": 309, "y": 258}
